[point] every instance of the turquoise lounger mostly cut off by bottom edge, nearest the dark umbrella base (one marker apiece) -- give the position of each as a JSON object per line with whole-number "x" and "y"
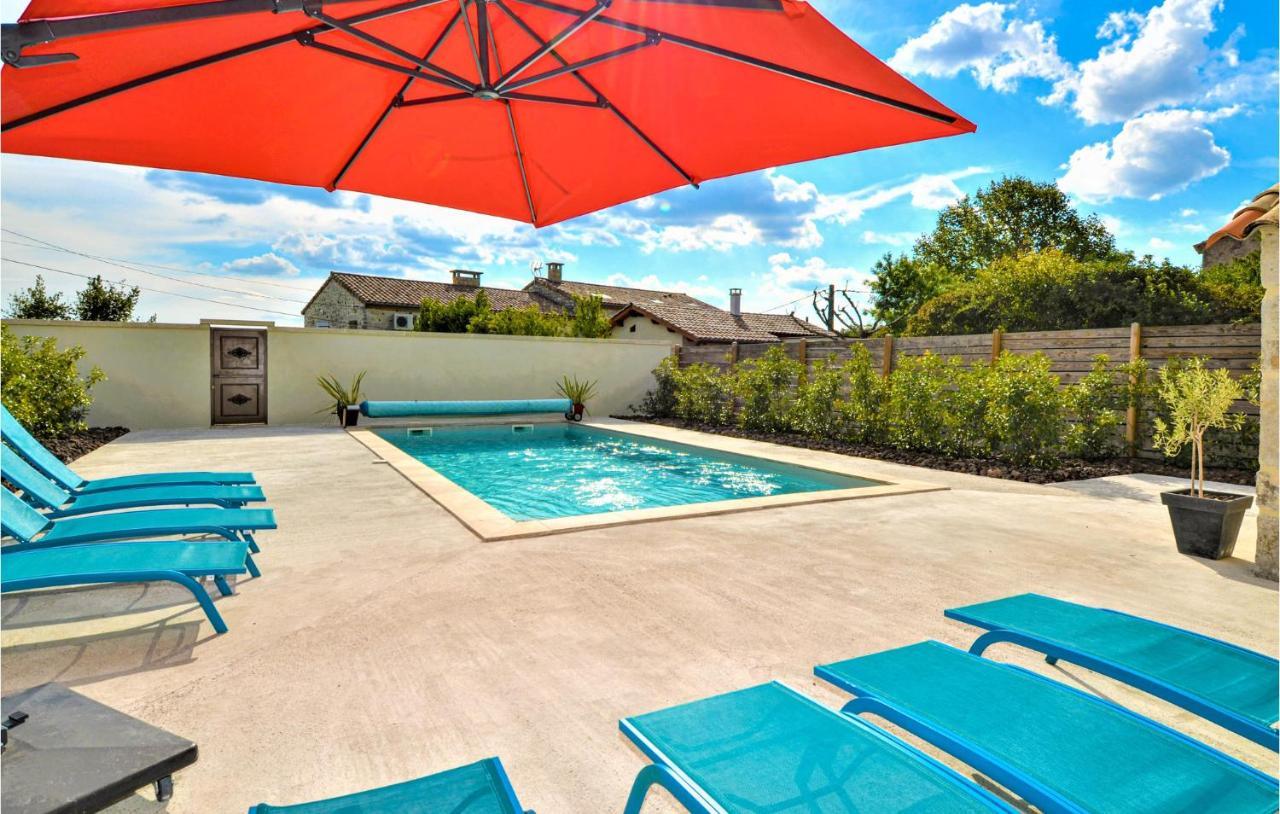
{"x": 476, "y": 789}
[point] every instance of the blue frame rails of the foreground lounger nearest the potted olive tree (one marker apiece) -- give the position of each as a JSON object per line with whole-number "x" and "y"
{"x": 1057, "y": 651}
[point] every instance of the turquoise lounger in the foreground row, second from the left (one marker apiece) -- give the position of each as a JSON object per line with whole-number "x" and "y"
{"x": 771, "y": 749}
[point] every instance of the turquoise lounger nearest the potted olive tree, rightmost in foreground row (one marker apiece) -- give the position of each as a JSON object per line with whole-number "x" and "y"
{"x": 1235, "y": 688}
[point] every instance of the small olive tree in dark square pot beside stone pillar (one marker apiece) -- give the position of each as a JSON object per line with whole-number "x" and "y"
{"x": 1199, "y": 400}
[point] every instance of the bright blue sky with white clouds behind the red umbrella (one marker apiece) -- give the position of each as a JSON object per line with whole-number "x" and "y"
{"x": 1160, "y": 117}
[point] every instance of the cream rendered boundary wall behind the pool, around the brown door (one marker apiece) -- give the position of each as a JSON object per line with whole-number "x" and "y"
{"x": 159, "y": 374}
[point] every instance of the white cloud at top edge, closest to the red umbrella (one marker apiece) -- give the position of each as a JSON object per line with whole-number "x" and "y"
{"x": 982, "y": 40}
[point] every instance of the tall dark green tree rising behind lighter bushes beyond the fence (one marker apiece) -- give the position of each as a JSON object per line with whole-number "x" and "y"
{"x": 1011, "y": 217}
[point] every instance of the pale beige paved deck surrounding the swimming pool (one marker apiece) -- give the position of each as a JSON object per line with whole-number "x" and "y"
{"x": 385, "y": 641}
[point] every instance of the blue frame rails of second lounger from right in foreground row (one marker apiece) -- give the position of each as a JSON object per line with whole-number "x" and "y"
{"x": 1017, "y": 781}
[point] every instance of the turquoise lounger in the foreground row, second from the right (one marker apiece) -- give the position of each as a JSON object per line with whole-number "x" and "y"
{"x": 1058, "y": 748}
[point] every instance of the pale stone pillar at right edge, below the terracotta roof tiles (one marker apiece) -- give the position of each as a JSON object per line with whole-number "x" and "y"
{"x": 1269, "y": 450}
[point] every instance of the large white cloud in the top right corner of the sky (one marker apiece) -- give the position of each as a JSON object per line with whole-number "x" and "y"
{"x": 1162, "y": 60}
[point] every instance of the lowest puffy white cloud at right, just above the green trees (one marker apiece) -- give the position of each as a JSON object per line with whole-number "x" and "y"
{"x": 1151, "y": 157}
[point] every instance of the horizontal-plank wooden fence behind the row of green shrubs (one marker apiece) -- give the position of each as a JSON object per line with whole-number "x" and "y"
{"x": 1071, "y": 354}
